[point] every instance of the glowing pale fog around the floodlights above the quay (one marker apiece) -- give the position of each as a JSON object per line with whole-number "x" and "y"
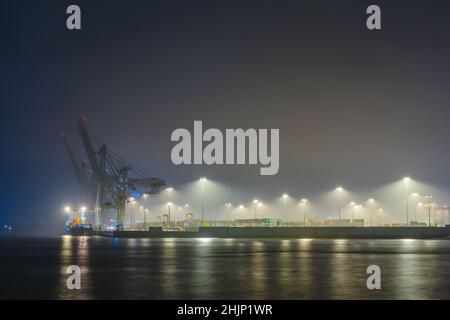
{"x": 389, "y": 205}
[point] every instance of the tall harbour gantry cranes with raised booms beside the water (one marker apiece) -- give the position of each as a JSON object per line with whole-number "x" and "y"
{"x": 113, "y": 182}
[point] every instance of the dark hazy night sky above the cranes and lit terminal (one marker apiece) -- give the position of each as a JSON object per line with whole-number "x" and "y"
{"x": 354, "y": 107}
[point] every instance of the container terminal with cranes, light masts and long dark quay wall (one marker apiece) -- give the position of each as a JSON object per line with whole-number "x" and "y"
{"x": 108, "y": 181}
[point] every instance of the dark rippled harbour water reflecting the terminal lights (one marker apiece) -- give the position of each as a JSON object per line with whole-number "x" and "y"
{"x": 222, "y": 268}
